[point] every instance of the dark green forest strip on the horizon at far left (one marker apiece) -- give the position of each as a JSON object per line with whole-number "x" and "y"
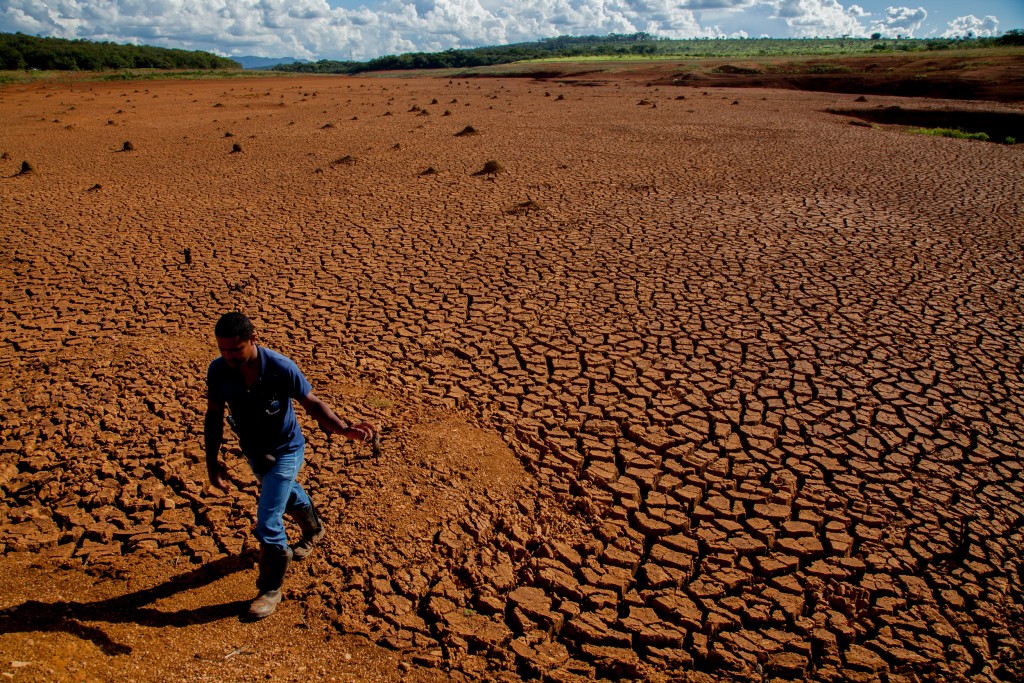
{"x": 19, "y": 52}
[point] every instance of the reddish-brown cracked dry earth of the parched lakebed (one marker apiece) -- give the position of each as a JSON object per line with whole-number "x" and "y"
{"x": 691, "y": 386}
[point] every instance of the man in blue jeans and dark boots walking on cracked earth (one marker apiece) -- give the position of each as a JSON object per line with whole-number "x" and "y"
{"x": 259, "y": 386}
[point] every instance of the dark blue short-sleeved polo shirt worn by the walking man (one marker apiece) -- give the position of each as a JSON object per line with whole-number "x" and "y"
{"x": 264, "y": 416}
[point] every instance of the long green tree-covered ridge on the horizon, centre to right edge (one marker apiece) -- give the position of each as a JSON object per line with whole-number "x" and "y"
{"x": 616, "y": 46}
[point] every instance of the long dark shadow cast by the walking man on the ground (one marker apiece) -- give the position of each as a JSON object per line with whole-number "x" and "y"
{"x": 70, "y": 617}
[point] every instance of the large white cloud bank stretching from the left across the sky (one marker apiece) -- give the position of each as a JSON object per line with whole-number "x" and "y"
{"x": 314, "y": 29}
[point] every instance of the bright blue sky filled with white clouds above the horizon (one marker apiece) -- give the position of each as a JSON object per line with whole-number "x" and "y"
{"x": 362, "y": 30}
